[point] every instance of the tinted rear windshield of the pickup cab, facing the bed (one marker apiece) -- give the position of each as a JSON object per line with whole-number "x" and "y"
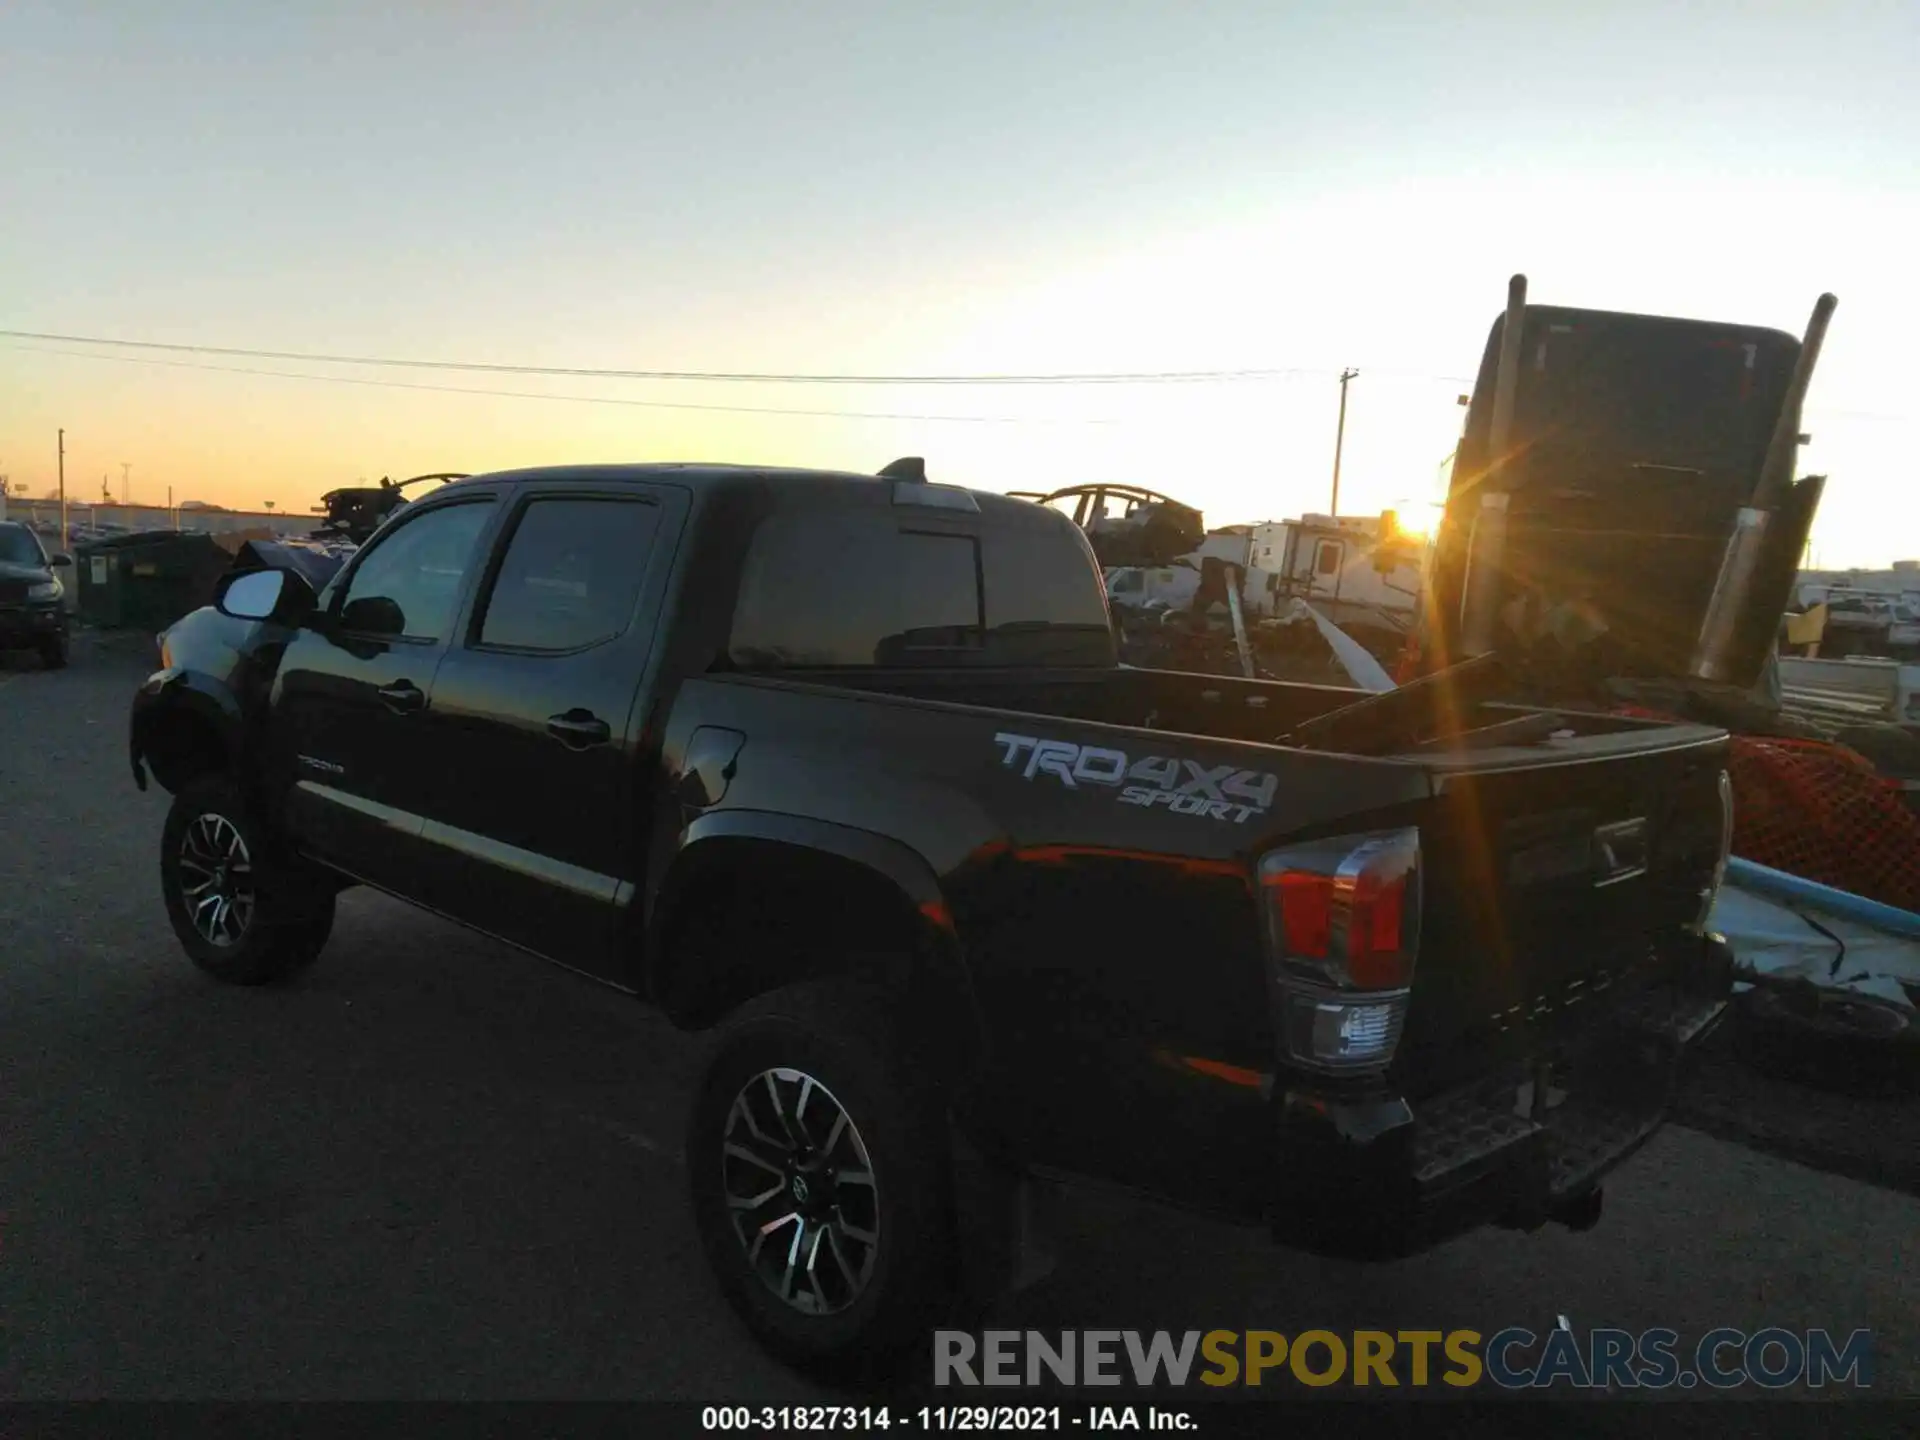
{"x": 861, "y": 588}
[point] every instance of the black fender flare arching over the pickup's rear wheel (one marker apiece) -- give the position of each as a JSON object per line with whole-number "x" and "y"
{"x": 892, "y": 861}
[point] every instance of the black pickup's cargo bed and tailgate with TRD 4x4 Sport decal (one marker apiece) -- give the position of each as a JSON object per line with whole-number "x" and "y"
{"x": 1520, "y": 932}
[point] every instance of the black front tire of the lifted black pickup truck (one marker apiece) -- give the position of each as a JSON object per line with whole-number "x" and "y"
{"x": 289, "y": 913}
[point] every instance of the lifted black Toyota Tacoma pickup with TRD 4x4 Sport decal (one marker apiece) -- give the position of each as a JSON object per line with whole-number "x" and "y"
{"x": 846, "y": 767}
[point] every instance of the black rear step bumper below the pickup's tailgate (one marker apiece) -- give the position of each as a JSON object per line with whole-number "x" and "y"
{"x": 1527, "y": 1145}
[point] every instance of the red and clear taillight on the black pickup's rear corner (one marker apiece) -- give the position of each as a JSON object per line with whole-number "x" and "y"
{"x": 1343, "y": 934}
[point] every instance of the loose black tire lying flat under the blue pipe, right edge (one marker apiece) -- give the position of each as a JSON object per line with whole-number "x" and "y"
{"x": 1829, "y": 1040}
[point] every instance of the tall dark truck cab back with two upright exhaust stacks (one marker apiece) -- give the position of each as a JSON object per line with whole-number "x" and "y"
{"x": 1625, "y": 502}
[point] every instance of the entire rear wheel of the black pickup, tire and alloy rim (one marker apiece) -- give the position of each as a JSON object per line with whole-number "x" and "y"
{"x": 821, "y": 1184}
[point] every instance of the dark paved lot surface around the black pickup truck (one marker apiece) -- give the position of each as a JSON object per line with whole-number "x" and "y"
{"x": 441, "y": 1170}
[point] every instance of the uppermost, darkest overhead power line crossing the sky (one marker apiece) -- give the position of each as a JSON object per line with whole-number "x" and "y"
{"x": 719, "y": 377}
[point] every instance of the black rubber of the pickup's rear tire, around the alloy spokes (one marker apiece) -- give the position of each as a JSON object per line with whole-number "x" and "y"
{"x": 844, "y": 1042}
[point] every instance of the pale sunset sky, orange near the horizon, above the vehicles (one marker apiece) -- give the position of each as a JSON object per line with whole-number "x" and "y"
{"x": 926, "y": 189}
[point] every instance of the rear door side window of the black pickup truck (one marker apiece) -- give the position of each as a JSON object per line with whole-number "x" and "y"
{"x": 571, "y": 573}
